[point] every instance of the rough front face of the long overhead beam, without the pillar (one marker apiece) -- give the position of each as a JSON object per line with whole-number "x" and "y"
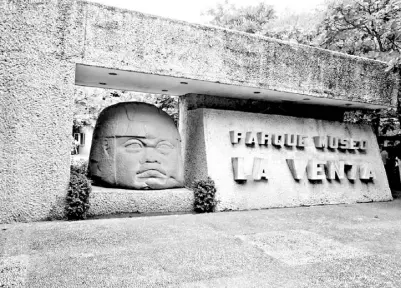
{"x": 174, "y": 48}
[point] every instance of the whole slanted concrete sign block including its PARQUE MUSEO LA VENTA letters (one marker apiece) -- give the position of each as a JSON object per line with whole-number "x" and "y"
{"x": 262, "y": 161}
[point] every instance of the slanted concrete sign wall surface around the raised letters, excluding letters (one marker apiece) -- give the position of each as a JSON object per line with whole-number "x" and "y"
{"x": 209, "y": 152}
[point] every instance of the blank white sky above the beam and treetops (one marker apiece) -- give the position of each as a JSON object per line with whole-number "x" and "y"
{"x": 189, "y": 10}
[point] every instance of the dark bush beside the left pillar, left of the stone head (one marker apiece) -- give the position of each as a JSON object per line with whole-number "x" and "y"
{"x": 77, "y": 201}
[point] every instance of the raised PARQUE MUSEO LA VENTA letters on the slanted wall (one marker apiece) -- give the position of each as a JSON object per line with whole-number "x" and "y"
{"x": 315, "y": 170}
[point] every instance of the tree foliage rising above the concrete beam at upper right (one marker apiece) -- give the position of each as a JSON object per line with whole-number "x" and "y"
{"x": 369, "y": 28}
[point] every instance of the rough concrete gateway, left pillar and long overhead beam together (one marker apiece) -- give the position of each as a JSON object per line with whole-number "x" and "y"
{"x": 42, "y": 40}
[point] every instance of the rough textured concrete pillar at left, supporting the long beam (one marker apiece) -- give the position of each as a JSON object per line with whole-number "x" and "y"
{"x": 39, "y": 46}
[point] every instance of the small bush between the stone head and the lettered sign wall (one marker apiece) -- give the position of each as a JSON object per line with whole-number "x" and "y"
{"x": 205, "y": 193}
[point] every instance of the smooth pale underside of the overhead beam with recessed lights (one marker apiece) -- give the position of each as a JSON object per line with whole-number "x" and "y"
{"x": 94, "y": 76}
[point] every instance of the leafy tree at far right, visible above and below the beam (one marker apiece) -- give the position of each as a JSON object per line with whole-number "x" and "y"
{"x": 368, "y": 28}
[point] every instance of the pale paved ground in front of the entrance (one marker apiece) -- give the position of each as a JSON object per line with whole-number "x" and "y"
{"x": 326, "y": 246}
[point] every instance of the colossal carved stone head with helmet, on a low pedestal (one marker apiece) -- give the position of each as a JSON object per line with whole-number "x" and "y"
{"x": 136, "y": 146}
